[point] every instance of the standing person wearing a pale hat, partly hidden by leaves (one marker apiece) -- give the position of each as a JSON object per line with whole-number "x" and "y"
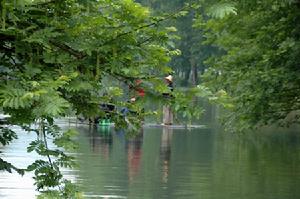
{"x": 167, "y": 112}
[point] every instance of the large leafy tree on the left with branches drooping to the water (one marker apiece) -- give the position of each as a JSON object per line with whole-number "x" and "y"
{"x": 54, "y": 57}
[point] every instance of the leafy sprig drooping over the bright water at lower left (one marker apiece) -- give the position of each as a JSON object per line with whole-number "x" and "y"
{"x": 47, "y": 172}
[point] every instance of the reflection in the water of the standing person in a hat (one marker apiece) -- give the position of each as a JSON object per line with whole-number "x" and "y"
{"x": 165, "y": 152}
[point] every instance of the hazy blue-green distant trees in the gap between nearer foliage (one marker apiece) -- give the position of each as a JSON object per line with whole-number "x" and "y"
{"x": 189, "y": 63}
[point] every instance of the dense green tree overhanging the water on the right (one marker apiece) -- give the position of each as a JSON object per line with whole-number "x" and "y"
{"x": 259, "y": 67}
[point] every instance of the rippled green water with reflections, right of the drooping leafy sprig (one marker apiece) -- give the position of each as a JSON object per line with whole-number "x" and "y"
{"x": 178, "y": 163}
